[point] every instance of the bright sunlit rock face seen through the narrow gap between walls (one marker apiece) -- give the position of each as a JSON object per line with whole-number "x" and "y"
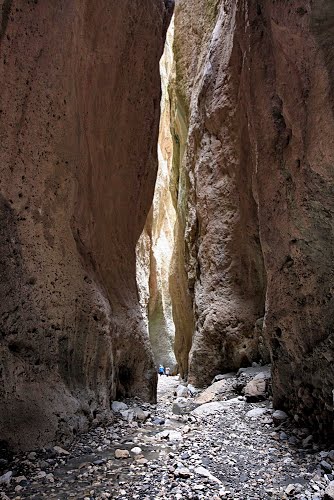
{"x": 155, "y": 246}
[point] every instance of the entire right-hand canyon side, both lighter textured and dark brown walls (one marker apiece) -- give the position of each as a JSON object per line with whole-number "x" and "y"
{"x": 258, "y": 81}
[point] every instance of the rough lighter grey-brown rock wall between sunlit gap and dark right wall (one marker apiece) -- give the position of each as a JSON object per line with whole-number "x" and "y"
{"x": 223, "y": 253}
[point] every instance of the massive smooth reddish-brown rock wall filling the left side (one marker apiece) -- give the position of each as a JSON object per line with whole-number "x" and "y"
{"x": 79, "y": 113}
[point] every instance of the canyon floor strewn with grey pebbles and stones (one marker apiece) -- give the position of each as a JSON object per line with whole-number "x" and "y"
{"x": 220, "y": 445}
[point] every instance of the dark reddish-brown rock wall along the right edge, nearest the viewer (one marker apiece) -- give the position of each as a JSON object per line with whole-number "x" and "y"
{"x": 291, "y": 123}
